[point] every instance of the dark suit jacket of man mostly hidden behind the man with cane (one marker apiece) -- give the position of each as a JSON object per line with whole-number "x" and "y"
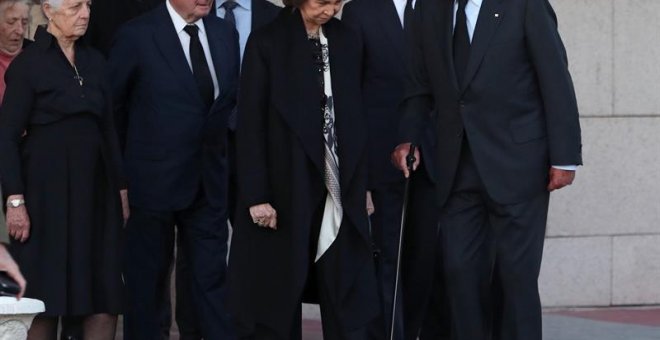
{"x": 383, "y": 73}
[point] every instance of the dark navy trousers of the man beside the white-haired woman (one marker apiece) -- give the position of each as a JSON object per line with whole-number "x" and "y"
{"x": 148, "y": 257}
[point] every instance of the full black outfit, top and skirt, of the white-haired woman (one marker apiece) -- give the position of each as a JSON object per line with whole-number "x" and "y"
{"x": 67, "y": 166}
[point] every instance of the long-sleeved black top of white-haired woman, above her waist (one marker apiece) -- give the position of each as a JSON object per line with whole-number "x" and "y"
{"x": 43, "y": 88}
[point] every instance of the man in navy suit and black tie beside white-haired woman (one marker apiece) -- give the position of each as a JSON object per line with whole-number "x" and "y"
{"x": 174, "y": 74}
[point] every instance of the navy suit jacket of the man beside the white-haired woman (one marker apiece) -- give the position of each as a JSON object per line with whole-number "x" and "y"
{"x": 173, "y": 144}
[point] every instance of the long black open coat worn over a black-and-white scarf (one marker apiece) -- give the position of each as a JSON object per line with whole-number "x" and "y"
{"x": 280, "y": 161}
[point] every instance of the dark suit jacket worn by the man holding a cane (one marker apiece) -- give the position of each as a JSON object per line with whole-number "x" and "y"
{"x": 517, "y": 104}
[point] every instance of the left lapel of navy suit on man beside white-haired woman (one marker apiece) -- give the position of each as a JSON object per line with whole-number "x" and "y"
{"x": 167, "y": 41}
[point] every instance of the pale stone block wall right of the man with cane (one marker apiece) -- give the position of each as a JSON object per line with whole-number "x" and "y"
{"x": 603, "y": 244}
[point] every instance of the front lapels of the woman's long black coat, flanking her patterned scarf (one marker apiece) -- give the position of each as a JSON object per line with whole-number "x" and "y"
{"x": 303, "y": 111}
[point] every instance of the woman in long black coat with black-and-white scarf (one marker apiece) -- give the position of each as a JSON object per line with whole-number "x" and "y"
{"x": 301, "y": 142}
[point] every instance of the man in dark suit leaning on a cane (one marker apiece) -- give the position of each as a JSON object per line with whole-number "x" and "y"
{"x": 492, "y": 77}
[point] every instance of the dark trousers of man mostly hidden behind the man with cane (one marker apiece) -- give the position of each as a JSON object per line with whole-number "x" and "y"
{"x": 386, "y": 226}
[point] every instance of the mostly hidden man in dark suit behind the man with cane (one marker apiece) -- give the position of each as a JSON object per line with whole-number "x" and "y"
{"x": 381, "y": 24}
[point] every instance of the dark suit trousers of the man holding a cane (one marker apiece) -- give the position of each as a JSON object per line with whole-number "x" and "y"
{"x": 479, "y": 236}
